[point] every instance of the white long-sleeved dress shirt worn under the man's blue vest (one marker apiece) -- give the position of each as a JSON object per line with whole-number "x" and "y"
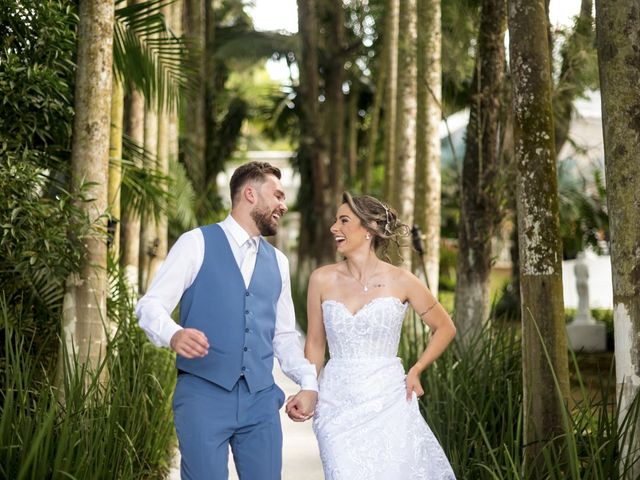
{"x": 178, "y": 272}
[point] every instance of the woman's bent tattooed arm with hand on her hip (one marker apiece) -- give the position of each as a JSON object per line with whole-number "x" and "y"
{"x": 443, "y": 331}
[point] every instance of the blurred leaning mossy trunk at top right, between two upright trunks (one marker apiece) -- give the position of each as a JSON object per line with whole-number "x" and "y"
{"x": 574, "y": 63}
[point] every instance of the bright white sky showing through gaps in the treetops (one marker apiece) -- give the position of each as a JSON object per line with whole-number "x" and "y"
{"x": 283, "y": 15}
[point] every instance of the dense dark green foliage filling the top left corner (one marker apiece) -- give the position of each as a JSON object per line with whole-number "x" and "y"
{"x": 36, "y": 80}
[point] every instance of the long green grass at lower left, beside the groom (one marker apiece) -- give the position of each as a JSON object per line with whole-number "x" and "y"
{"x": 87, "y": 424}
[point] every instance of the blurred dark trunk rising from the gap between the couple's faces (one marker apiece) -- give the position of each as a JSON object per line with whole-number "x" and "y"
{"x": 312, "y": 153}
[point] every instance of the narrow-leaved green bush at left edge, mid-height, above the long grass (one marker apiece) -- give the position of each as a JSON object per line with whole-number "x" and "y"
{"x": 40, "y": 242}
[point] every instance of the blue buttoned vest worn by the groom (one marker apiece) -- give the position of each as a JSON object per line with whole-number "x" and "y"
{"x": 239, "y": 322}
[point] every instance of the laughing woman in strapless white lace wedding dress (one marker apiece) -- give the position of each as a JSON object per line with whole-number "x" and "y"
{"x": 367, "y": 419}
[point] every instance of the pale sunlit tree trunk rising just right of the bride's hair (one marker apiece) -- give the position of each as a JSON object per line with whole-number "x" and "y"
{"x": 428, "y": 178}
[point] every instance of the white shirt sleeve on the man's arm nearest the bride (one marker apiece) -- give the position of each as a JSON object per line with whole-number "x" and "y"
{"x": 287, "y": 341}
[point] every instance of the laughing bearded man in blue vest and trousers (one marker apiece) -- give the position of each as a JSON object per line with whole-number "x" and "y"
{"x": 236, "y": 314}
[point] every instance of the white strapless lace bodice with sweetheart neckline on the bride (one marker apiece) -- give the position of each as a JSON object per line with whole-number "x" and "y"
{"x": 370, "y": 332}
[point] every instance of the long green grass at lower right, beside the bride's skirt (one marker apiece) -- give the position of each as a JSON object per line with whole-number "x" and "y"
{"x": 473, "y": 403}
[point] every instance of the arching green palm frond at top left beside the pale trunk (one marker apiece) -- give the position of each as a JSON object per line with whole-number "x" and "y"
{"x": 148, "y": 56}
